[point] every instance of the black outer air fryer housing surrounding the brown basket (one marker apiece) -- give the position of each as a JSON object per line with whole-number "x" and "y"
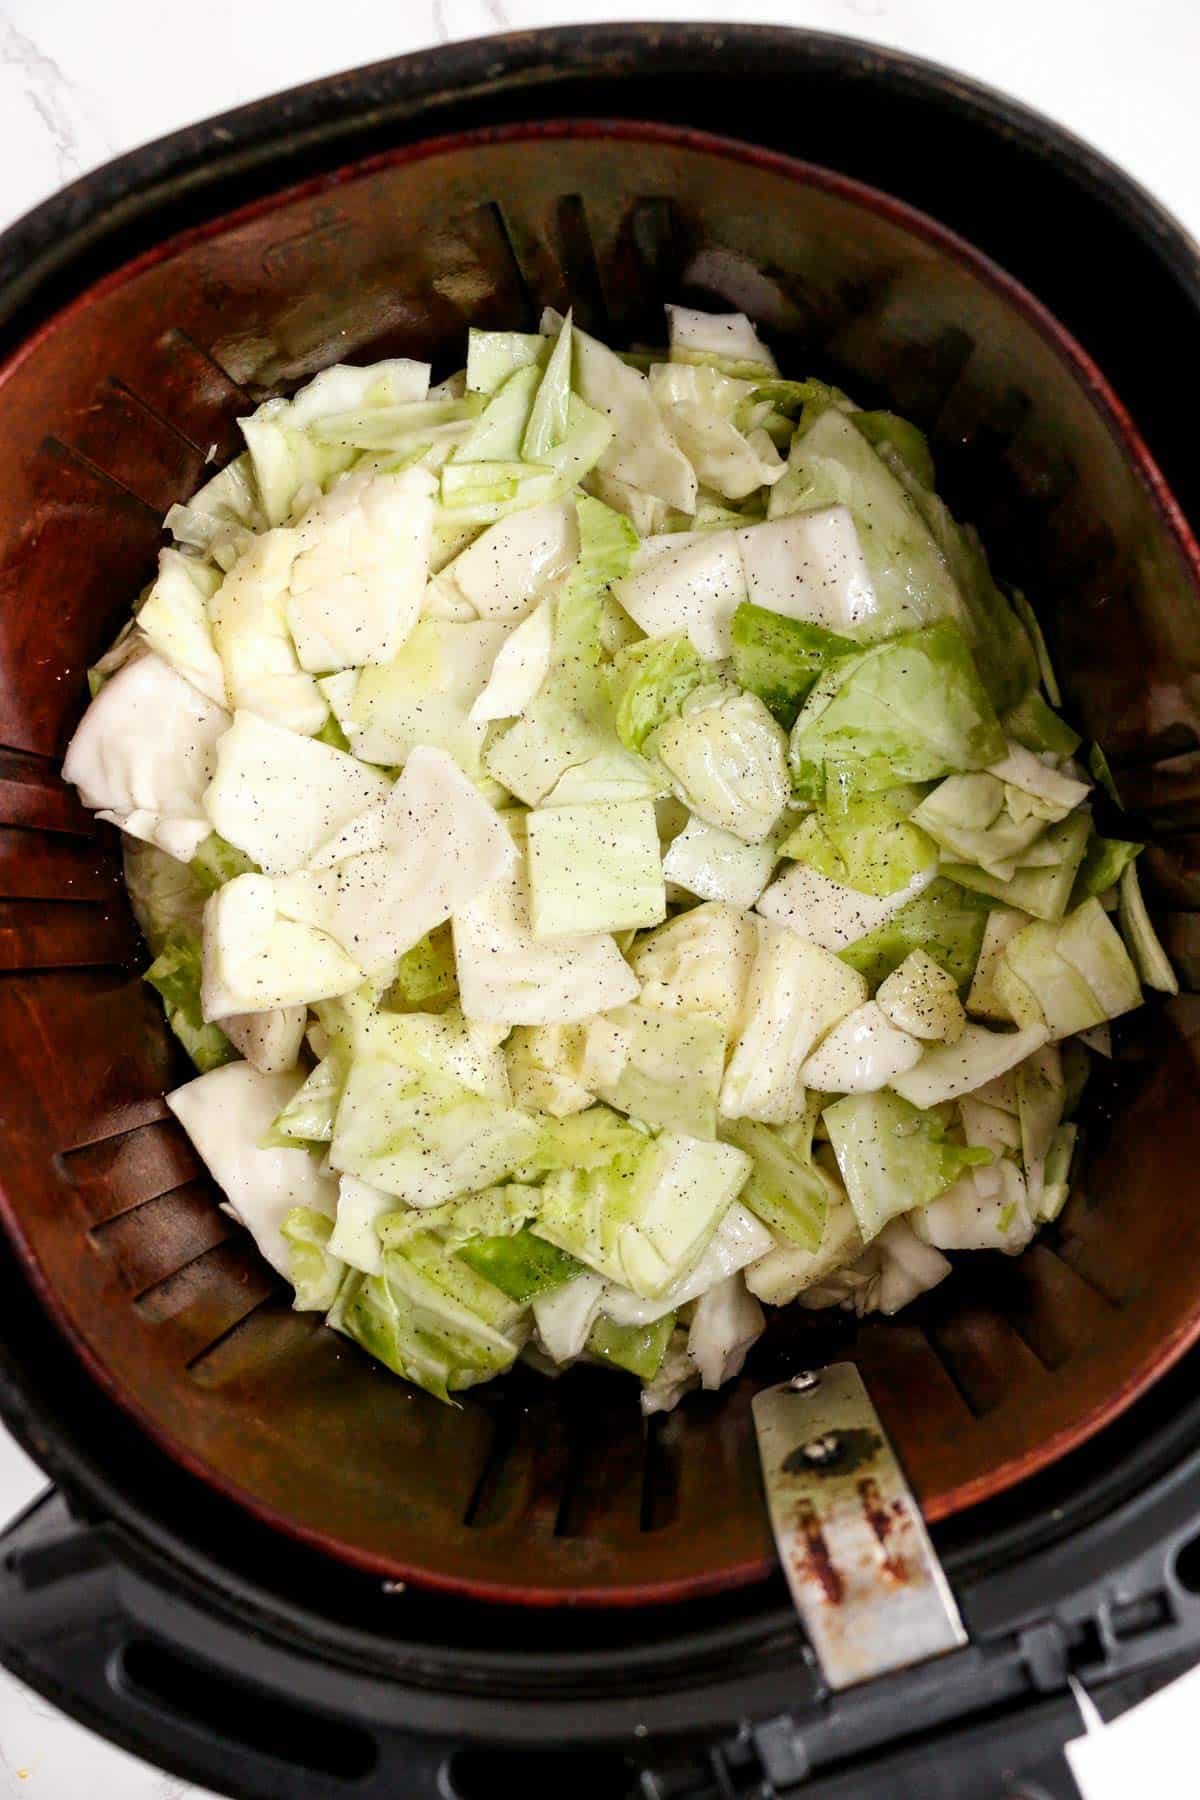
{"x": 166, "y": 1615}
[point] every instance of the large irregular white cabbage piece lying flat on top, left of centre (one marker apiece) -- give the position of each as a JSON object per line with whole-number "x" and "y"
{"x": 427, "y": 850}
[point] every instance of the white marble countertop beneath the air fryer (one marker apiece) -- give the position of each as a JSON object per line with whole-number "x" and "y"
{"x": 82, "y": 82}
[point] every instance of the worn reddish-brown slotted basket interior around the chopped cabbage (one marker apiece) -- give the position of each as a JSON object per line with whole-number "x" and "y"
{"x": 537, "y": 1489}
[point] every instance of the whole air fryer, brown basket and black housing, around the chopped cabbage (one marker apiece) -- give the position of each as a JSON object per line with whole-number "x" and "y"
{"x": 273, "y": 1565}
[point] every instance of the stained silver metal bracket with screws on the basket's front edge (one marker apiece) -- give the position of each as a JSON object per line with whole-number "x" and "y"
{"x": 852, "y": 1540}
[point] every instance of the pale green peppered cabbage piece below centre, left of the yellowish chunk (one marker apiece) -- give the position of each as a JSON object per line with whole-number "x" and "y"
{"x": 661, "y": 1068}
